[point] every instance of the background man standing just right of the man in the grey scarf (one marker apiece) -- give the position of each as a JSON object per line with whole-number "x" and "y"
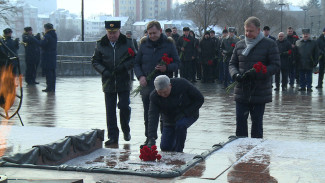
{"x": 285, "y": 51}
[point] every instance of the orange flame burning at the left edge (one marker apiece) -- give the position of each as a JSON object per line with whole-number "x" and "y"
{"x": 8, "y": 88}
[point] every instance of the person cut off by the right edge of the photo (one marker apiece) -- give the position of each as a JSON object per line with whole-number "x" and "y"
{"x": 321, "y": 46}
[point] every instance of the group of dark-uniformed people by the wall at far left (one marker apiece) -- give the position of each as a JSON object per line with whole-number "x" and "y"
{"x": 38, "y": 49}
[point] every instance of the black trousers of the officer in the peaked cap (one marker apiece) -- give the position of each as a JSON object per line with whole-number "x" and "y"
{"x": 125, "y": 113}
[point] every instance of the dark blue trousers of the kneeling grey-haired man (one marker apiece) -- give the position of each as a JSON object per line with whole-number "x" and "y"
{"x": 173, "y": 137}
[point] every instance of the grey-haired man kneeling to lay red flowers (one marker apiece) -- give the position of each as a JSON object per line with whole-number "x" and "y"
{"x": 179, "y": 102}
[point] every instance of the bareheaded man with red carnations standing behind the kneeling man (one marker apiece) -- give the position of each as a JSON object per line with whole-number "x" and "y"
{"x": 148, "y": 60}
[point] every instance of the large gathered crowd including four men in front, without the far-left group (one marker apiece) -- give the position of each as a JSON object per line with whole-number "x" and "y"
{"x": 167, "y": 65}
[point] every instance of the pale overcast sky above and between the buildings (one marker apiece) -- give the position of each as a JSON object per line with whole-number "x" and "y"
{"x": 106, "y": 6}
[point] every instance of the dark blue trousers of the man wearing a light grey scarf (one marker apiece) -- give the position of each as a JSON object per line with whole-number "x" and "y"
{"x": 242, "y": 112}
